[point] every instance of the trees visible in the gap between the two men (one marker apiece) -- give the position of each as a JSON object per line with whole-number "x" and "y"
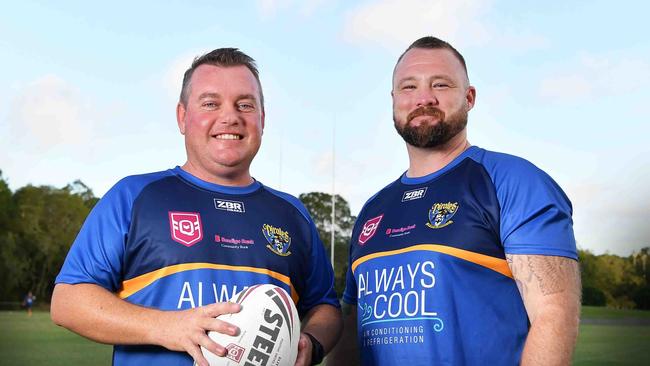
{"x": 320, "y": 208}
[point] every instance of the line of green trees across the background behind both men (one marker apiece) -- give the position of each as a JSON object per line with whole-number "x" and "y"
{"x": 39, "y": 223}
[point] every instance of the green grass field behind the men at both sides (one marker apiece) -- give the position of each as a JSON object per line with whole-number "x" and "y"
{"x": 37, "y": 341}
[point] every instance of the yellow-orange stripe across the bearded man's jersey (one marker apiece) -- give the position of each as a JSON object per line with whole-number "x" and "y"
{"x": 495, "y": 264}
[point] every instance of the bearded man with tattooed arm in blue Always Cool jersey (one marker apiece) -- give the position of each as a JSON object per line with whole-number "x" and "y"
{"x": 469, "y": 257}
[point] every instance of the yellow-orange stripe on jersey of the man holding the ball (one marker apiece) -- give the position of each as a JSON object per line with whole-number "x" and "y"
{"x": 129, "y": 287}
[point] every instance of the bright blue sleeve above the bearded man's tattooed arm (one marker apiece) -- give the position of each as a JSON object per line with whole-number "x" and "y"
{"x": 535, "y": 212}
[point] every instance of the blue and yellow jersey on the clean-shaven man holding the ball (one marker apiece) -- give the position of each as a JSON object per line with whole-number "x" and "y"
{"x": 171, "y": 241}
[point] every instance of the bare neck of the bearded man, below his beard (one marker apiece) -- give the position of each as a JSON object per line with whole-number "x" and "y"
{"x": 424, "y": 161}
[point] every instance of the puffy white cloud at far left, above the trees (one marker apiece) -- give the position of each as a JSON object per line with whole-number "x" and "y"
{"x": 50, "y": 111}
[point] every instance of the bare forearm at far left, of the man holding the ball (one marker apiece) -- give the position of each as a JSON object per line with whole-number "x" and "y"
{"x": 99, "y": 315}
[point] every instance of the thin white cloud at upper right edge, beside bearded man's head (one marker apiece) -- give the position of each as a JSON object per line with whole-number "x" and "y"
{"x": 596, "y": 76}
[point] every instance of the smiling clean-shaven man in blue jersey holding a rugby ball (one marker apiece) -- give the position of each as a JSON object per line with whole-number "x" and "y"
{"x": 161, "y": 254}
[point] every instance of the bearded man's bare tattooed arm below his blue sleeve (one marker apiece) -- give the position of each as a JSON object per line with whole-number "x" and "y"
{"x": 550, "y": 288}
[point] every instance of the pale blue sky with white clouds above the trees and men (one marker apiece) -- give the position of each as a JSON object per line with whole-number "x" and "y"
{"x": 88, "y": 92}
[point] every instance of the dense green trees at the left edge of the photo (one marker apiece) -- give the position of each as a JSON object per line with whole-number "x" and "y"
{"x": 42, "y": 224}
